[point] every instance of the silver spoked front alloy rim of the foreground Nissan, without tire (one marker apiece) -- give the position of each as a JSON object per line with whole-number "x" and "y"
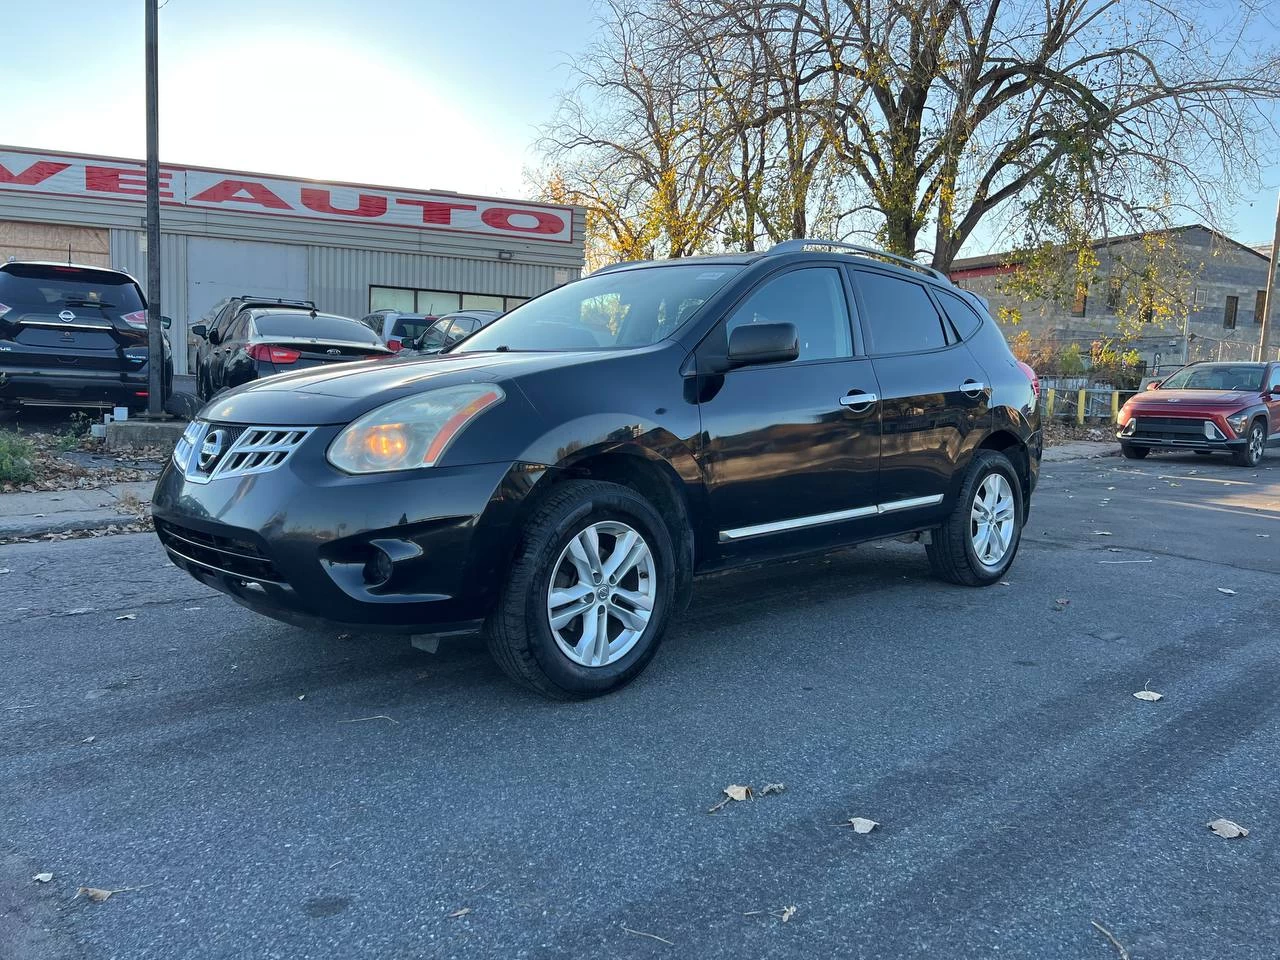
{"x": 602, "y": 595}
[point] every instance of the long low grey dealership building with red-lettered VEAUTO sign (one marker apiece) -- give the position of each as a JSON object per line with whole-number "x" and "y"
{"x": 351, "y": 249}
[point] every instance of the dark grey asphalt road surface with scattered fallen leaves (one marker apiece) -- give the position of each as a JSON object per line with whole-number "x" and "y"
{"x": 260, "y": 792}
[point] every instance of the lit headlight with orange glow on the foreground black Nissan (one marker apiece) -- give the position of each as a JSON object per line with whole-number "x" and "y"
{"x": 412, "y": 433}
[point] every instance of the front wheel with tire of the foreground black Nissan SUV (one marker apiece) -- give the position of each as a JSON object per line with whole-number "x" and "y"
{"x": 555, "y": 662}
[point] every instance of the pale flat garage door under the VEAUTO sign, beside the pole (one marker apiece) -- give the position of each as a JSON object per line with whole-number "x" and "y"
{"x": 218, "y": 269}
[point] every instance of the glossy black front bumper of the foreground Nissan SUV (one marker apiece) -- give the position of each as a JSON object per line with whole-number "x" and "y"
{"x": 295, "y": 543}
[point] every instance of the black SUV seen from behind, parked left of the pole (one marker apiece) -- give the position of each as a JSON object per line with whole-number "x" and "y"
{"x": 74, "y": 336}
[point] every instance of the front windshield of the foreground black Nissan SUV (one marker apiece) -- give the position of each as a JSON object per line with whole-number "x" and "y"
{"x": 610, "y": 312}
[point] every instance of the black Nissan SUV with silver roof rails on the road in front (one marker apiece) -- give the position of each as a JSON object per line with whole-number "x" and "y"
{"x": 564, "y": 474}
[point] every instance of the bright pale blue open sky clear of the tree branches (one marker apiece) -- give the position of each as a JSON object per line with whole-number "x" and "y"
{"x": 426, "y": 94}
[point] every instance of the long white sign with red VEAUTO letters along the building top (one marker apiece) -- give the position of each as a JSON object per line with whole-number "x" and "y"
{"x": 67, "y": 175}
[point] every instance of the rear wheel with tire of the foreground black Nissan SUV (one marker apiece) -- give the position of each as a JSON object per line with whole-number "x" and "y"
{"x": 954, "y": 554}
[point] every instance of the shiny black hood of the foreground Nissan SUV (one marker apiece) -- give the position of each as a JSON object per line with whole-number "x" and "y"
{"x": 339, "y": 394}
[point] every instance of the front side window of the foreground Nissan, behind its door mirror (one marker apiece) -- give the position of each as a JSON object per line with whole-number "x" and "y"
{"x": 813, "y": 300}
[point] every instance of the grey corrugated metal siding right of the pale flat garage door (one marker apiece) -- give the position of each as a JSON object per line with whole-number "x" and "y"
{"x": 341, "y": 278}
